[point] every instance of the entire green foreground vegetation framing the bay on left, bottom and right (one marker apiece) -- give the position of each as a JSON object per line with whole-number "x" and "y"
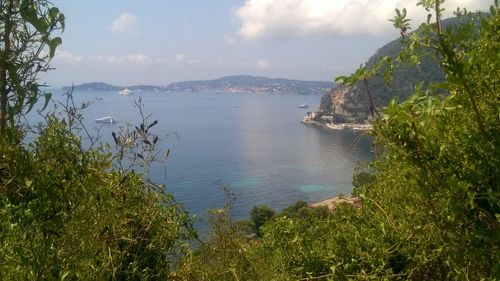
{"x": 429, "y": 204}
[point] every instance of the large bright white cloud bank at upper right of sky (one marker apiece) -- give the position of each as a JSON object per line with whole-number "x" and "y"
{"x": 292, "y": 18}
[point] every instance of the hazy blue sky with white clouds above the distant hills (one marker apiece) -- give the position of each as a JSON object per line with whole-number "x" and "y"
{"x": 156, "y": 42}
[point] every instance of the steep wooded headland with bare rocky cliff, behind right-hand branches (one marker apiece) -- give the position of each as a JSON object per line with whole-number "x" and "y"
{"x": 350, "y": 103}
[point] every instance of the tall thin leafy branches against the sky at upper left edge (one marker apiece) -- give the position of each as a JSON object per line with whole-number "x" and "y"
{"x": 26, "y": 50}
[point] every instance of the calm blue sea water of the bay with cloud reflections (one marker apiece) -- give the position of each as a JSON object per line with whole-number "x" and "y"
{"x": 252, "y": 143}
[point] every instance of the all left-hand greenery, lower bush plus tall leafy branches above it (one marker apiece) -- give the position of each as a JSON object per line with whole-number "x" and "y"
{"x": 66, "y": 212}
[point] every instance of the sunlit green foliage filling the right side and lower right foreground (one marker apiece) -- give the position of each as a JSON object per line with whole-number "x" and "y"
{"x": 430, "y": 200}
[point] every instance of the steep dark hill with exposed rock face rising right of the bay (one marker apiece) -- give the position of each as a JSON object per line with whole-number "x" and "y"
{"x": 351, "y": 104}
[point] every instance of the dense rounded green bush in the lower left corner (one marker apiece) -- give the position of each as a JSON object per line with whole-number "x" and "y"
{"x": 65, "y": 214}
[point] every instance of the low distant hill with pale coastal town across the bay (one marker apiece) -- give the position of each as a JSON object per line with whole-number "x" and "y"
{"x": 253, "y": 84}
